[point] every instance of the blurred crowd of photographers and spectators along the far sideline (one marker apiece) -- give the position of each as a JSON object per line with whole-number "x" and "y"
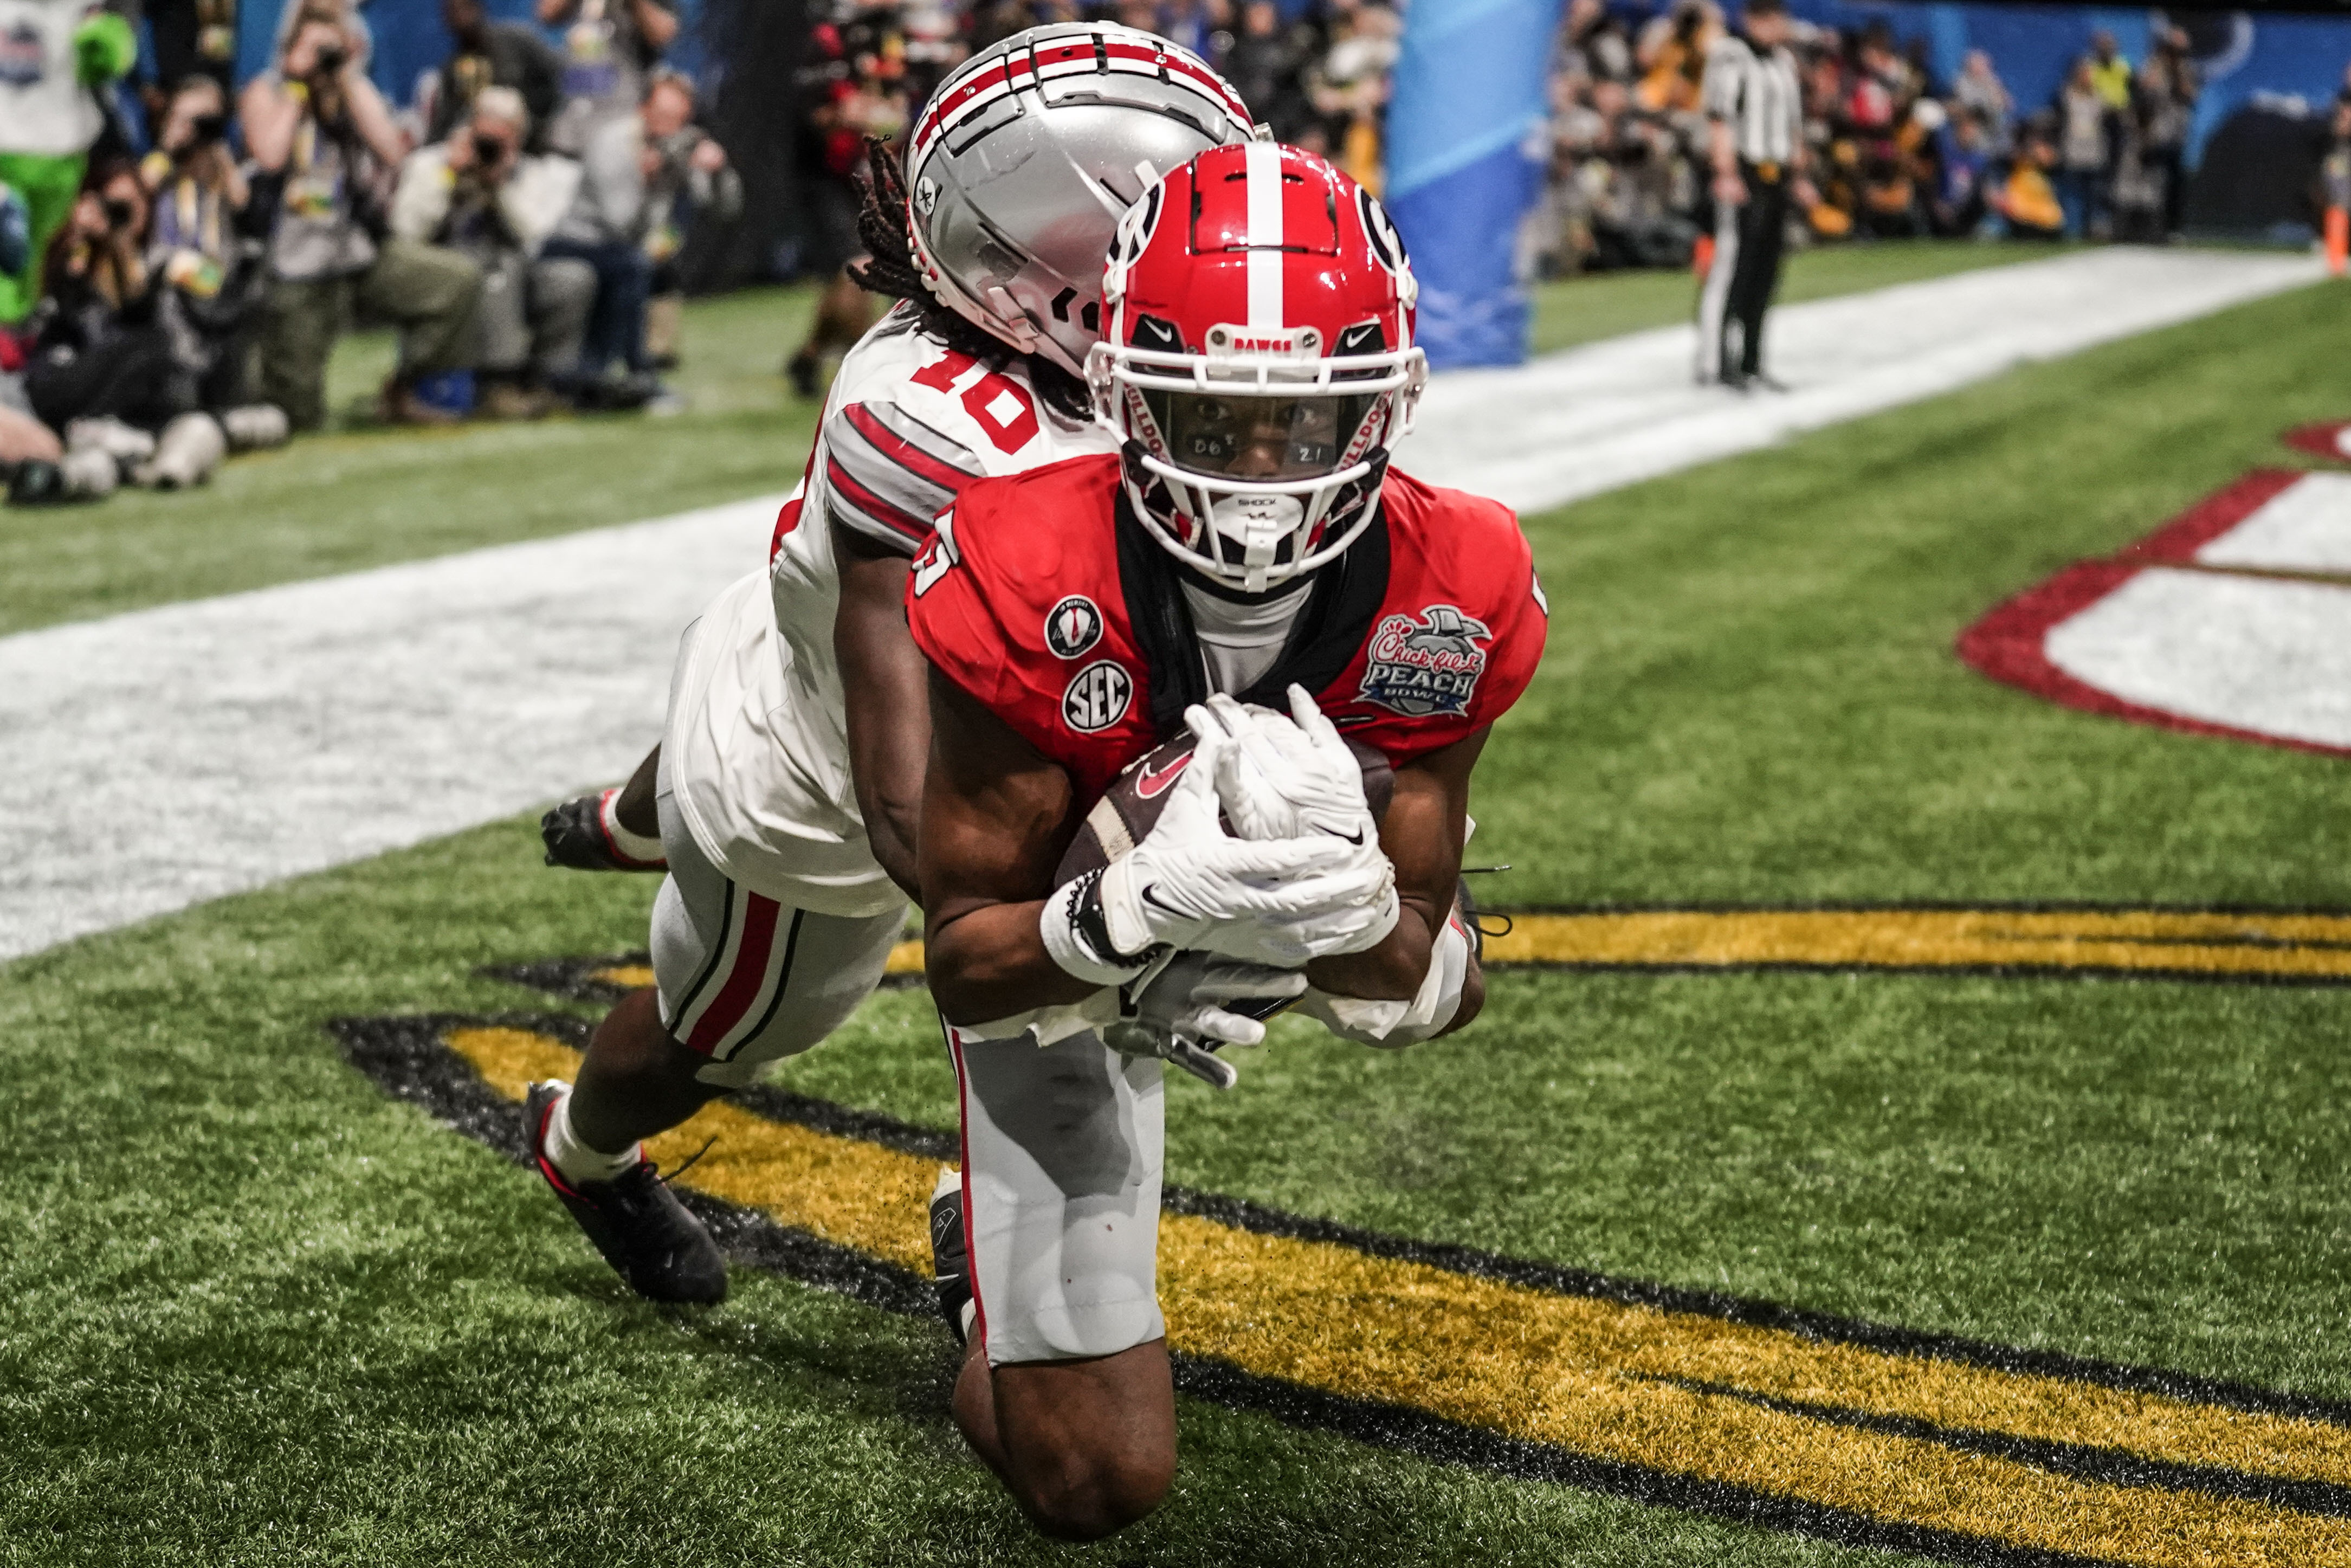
{"x": 173, "y": 281}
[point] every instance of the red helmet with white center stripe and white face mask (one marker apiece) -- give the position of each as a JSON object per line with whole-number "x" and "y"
{"x": 1259, "y": 361}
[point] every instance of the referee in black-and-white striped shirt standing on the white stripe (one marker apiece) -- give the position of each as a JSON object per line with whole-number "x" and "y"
{"x": 1755, "y": 112}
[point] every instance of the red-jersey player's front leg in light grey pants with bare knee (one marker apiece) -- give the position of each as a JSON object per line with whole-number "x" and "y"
{"x": 1066, "y": 1393}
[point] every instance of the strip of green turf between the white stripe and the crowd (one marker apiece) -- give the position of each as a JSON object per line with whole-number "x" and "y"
{"x": 366, "y": 497}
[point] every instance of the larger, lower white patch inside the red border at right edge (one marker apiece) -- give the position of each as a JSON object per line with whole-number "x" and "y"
{"x": 2263, "y": 655}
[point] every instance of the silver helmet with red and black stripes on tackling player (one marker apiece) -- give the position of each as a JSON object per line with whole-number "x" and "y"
{"x": 1026, "y": 159}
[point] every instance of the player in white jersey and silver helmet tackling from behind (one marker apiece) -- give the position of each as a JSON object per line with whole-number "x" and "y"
{"x": 786, "y": 810}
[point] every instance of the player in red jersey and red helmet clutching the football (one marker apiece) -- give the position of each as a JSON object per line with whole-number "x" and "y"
{"x": 1250, "y": 542}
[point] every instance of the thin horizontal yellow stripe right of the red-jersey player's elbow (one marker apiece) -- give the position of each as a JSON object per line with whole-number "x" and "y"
{"x": 1941, "y": 939}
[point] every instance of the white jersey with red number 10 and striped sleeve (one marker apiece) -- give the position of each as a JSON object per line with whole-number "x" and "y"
{"x": 758, "y": 751}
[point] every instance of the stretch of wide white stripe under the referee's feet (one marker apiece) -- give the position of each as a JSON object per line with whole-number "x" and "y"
{"x": 1602, "y": 417}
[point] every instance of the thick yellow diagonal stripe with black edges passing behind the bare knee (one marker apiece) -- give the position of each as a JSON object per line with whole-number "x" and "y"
{"x": 1593, "y": 1376}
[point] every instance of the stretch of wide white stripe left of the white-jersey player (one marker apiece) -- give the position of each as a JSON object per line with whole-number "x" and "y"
{"x": 189, "y": 751}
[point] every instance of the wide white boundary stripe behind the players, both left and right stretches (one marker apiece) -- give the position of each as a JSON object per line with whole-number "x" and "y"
{"x": 192, "y": 751}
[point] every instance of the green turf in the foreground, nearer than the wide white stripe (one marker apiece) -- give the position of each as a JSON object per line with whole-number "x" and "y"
{"x": 255, "y": 1313}
